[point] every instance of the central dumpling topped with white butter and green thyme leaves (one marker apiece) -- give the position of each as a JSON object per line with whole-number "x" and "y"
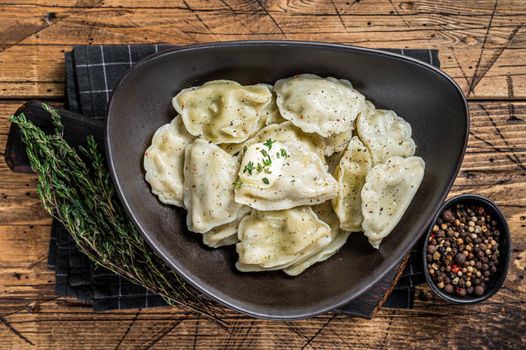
{"x": 277, "y": 176}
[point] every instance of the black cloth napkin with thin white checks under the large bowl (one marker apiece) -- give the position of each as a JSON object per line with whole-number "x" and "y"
{"x": 92, "y": 72}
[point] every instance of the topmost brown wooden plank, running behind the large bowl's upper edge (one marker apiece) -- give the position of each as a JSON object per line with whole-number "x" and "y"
{"x": 481, "y": 43}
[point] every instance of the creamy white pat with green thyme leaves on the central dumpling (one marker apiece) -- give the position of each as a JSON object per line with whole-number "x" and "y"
{"x": 261, "y": 165}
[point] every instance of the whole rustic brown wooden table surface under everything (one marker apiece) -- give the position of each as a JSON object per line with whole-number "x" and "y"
{"x": 482, "y": 46}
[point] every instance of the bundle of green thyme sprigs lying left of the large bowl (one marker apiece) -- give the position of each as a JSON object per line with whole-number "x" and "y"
{"x": 75, "y": 187}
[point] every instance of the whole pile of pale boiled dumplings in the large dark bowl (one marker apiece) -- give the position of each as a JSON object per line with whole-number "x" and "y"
{"x": 284, "y": 172}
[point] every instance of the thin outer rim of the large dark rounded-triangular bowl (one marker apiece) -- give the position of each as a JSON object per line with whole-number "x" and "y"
{"x": 390, "y": 264}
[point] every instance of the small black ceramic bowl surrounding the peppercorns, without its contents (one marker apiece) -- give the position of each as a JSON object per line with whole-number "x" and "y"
{"x": 504, "y": 249}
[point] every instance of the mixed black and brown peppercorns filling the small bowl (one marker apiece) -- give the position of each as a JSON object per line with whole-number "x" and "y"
{"x": 463, "y": 250}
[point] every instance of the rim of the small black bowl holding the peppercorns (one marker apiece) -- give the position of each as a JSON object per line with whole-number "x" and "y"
{"x": 503, "y": 270}
